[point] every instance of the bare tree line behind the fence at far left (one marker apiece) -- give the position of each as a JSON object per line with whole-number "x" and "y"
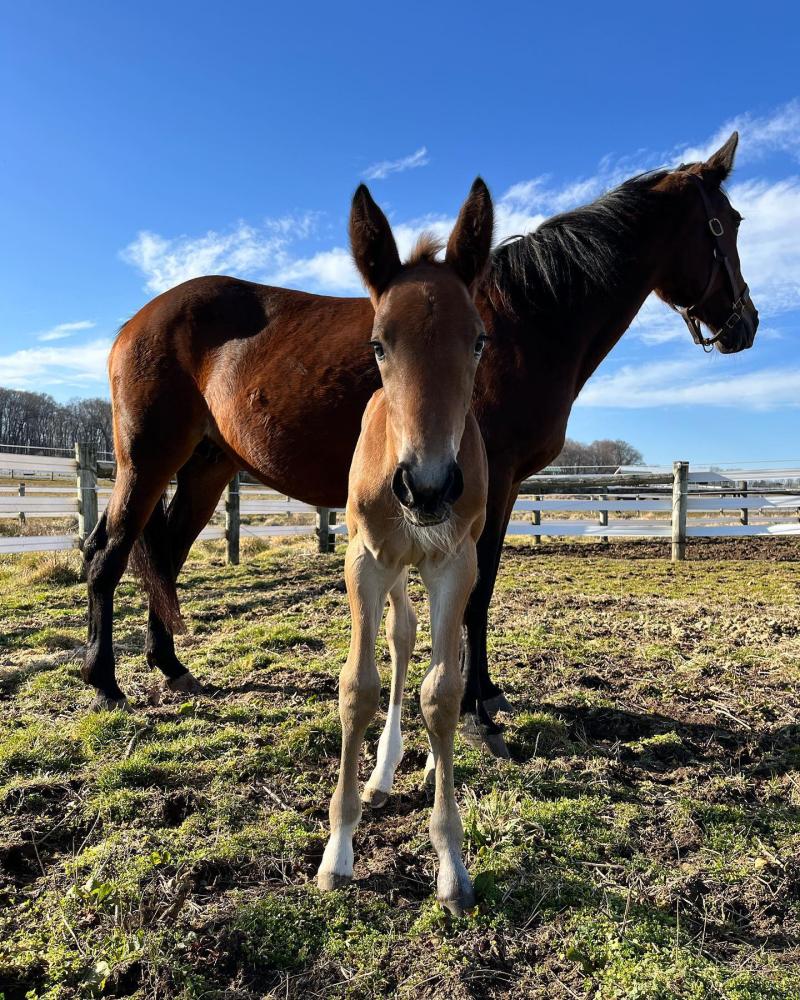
{"x": 34, "y": 420}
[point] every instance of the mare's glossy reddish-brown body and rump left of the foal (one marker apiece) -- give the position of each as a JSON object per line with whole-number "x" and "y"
{"x": 274, "y": 376}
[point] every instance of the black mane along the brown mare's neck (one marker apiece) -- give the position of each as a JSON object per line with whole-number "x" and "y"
{"x": 583, "y": 251}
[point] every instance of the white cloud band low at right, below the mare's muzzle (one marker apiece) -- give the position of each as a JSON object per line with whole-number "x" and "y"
{"x": 684, "y": 383}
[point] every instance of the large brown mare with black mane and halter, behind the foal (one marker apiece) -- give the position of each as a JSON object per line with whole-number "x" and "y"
{"x": 219, "y": 374}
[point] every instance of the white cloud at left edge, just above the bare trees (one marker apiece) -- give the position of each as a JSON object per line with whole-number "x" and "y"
{"x": 79, "y": 366}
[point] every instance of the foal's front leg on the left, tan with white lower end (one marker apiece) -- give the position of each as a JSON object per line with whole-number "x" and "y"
{"x": 359, "y": 692}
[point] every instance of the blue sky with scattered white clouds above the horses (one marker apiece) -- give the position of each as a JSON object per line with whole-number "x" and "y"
{"x": 145, "y": 144}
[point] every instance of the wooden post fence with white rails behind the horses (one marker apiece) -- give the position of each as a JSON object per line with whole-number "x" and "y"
{"x": 694, "y": 503}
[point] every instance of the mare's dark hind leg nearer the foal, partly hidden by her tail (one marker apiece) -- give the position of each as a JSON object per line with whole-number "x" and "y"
{"x": 200, "y": 485}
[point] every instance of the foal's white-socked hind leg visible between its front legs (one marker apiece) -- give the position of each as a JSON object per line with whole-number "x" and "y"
{"x": 401, "y": 633}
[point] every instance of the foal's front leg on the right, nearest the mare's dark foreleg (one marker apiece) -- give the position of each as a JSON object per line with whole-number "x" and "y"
{"x": 449, "y": 585}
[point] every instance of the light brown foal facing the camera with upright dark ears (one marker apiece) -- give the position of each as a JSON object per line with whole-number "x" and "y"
{"x": 417, "y": 496}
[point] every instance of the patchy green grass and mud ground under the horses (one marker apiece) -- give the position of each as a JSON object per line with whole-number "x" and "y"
{"x": 643, "y": 844}
